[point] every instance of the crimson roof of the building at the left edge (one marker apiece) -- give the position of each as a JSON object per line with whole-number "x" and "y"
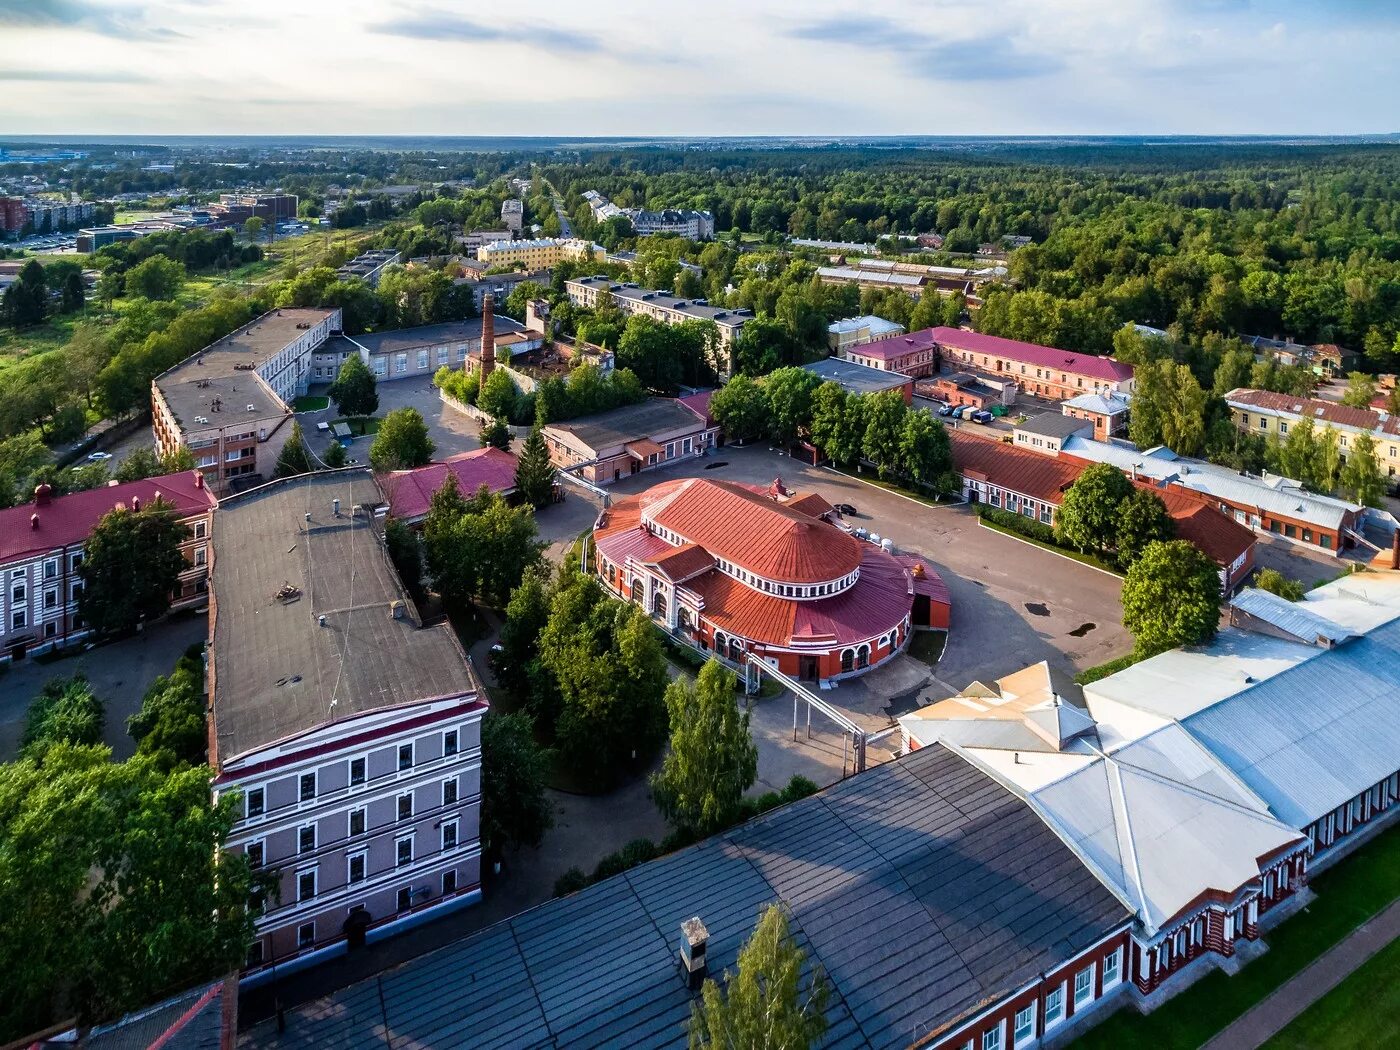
{"x": 69, "y": 520}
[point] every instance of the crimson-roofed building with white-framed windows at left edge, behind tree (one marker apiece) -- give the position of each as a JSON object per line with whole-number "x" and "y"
{"x": 41, "y": 551}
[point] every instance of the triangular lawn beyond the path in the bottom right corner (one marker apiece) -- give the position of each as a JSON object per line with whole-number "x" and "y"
{"x": 1361, "y": 1011}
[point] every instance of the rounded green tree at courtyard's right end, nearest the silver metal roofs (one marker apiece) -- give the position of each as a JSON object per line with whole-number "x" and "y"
{"x": 1171, "y": 597}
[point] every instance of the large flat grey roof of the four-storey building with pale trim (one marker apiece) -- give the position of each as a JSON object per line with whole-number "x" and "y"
{"x": 276, "y": 670}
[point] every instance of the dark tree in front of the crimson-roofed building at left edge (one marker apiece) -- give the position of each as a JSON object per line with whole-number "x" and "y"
{"x": 131, "y": 566}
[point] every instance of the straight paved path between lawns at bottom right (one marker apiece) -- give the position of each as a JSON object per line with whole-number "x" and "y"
{"x": 1293, "y": 997}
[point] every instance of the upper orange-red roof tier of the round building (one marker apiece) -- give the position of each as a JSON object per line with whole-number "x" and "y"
{"x": 744, "y": 527}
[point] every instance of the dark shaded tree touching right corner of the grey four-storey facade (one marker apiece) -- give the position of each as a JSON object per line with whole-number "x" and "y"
{"x": 516, "y": 811}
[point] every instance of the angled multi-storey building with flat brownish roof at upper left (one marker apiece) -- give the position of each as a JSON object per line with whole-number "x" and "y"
{"x": 230, "y": 405}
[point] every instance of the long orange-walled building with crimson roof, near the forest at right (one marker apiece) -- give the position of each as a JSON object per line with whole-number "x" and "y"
{"x": 1039, "y": 370}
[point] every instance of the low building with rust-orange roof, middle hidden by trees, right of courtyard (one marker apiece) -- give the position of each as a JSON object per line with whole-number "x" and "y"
{"x": 1034, "y": 485}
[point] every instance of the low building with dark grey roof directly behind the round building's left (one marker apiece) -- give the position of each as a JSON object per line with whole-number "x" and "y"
{"x": 617, "y": 444}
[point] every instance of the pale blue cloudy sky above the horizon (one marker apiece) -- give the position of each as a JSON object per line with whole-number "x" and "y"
{"x": 715, "y": 68}
